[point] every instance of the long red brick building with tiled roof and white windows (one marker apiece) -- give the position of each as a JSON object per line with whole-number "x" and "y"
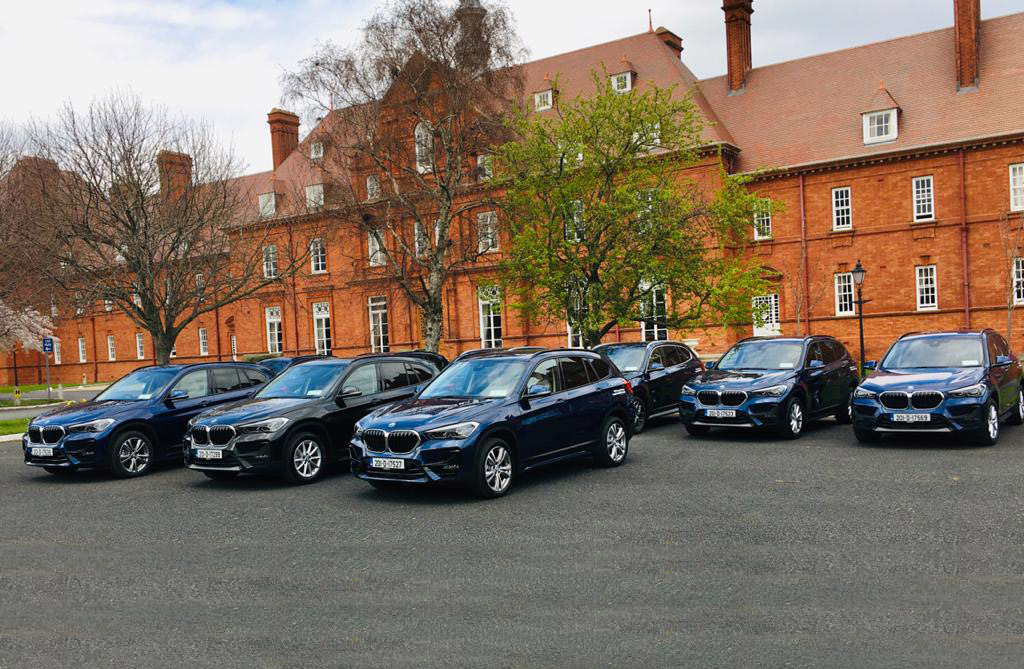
{"x": 908, "y": 155}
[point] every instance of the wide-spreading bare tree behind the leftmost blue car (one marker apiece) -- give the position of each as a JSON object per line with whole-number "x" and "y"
{"x": 144, "y": 211}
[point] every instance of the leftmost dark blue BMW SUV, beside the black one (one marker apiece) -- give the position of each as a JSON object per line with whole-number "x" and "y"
{"x": 138, "y": 421}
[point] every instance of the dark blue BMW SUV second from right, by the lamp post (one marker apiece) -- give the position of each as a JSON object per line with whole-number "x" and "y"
{"x": 777, "y": 383}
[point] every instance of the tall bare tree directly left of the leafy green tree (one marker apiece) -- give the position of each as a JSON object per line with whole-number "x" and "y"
{"x": 410, "y": 113}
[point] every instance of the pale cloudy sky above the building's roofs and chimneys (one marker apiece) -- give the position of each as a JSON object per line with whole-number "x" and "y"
{"x": 222, "y": 60}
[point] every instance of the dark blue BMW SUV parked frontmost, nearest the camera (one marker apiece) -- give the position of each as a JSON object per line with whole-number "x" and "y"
{"x": 490, "y": 417}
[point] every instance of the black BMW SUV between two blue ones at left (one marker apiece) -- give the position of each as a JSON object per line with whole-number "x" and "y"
{"x": 303, "y": 421}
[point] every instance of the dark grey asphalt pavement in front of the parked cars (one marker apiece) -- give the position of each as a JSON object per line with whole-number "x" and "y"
{"x": 733, "y": 551}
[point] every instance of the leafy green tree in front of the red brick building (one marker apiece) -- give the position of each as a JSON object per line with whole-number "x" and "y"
{"x": 604, "y": 220}
